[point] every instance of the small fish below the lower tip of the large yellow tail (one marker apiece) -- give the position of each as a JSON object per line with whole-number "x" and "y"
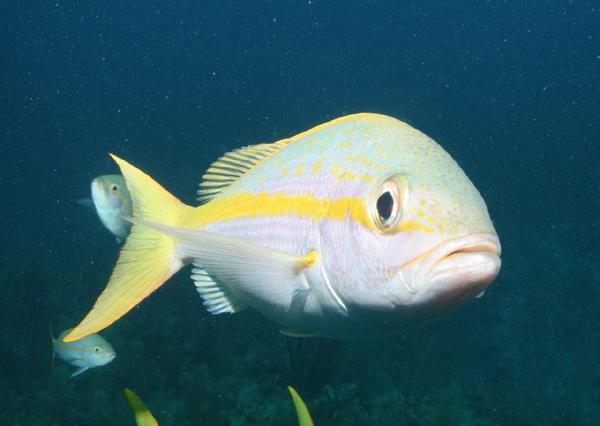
{"x": 89, "y": 352}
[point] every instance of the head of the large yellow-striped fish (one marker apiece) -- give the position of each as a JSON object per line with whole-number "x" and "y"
{"x": 422, "y": 242}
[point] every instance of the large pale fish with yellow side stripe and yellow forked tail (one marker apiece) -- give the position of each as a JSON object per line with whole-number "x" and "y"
{"x": 355, "y": 229}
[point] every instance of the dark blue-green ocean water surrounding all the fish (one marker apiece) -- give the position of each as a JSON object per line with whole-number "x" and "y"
{"x": 510, "y": 89}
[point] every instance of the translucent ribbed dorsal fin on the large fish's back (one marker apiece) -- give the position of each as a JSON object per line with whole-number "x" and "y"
{"x": 233, "y": 165}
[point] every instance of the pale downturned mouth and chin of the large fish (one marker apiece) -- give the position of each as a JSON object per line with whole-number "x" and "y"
{"x": 452, "y": 273}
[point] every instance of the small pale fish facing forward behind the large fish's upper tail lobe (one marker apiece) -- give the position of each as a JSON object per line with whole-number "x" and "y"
{"x": 113, "y": 204}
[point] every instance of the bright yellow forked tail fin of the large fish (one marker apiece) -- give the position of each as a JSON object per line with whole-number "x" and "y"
{"x": 147, "y": 259}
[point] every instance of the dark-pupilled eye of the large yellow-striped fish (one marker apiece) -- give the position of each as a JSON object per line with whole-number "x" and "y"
{"x": 387, "y": 207}
